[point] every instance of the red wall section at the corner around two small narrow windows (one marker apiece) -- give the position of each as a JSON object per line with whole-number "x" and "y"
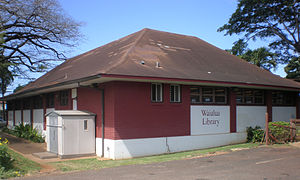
{"x": 135, "y": 116}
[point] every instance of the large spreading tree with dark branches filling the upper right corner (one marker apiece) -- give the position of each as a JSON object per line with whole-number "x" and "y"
{"x": 275, "y": 20}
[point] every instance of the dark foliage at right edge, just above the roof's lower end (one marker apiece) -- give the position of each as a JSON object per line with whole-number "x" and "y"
{"x": 293, "y": 69}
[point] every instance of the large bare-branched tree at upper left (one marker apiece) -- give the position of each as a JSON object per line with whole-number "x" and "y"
{"x": 34, "y": 32}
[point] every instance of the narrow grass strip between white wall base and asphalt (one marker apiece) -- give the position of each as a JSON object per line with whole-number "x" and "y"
{"x": 94, "y": 163}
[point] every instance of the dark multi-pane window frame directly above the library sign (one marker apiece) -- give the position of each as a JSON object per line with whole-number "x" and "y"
{"x": 200, "y": 94}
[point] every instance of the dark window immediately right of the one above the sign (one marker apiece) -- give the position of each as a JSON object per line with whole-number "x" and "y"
{"x": 249, "y": 96}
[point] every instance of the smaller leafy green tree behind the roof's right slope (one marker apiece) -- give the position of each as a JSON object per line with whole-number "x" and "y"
{"x": 261, "y": 57}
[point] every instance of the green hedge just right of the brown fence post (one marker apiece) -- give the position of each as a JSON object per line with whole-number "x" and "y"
{"x": 280, "y": 133}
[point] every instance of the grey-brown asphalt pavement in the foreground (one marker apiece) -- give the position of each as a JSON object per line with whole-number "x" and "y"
{"x": 259, "y": 163}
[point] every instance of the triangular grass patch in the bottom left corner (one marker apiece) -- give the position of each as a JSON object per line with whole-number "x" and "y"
{"x": 22, "y": 166}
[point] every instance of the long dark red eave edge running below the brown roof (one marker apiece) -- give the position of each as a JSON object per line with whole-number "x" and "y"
{"x": 101, "y": 78}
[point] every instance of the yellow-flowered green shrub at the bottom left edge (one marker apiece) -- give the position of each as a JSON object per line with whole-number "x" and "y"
{"x": 5, "y": 159}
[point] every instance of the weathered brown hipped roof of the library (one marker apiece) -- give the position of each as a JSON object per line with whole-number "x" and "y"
{"x": 157, "y": 54}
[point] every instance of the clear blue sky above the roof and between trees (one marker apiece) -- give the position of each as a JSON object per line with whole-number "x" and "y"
{"x": 105, "y": 21}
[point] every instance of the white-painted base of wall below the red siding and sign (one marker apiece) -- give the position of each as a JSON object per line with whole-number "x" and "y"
{"x": 129, "y": 148}
